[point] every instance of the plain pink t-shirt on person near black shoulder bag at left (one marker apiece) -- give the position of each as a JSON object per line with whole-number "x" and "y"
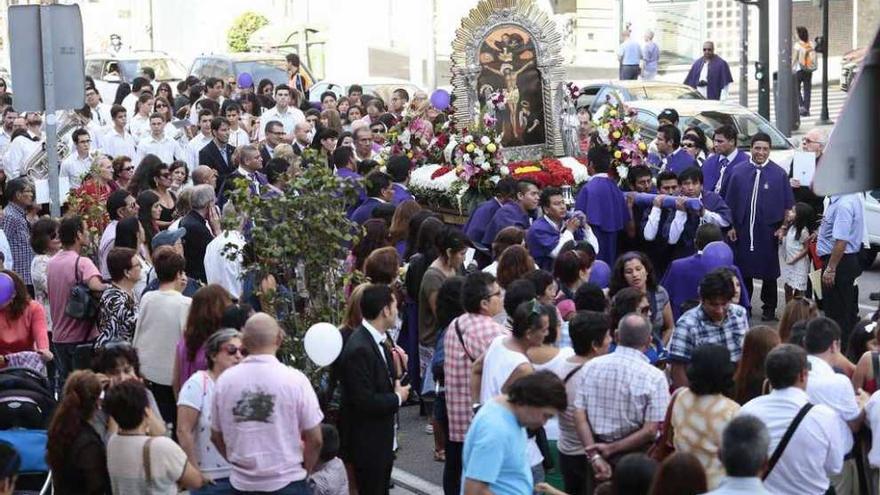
{"x": 60, "y": 277}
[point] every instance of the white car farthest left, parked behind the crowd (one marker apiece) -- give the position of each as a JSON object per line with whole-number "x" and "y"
{"x": 109, "y": 69}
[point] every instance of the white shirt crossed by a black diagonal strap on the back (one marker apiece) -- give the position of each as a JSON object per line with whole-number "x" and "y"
{"x": 815, "y": 451}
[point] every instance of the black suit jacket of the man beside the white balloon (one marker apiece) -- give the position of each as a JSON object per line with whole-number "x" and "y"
{"x": 368, "y": 403}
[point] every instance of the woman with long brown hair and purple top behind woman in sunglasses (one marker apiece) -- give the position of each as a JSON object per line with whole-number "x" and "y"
{"x": 205, "y": 315}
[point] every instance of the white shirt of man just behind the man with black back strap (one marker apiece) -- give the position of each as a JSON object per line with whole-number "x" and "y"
{"x": 824, "y": 386}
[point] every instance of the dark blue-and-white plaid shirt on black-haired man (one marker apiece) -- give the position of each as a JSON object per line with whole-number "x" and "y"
{"x": 694, "y": 329}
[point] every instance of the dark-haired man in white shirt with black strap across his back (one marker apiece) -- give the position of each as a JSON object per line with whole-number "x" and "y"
{"x": 816, "y": 448}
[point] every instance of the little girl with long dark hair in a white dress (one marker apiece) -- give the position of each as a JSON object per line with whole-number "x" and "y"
{"x": 794, "y": 259}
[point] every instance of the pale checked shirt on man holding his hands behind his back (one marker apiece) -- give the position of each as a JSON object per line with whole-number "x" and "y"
{"x": 621, "y": 392}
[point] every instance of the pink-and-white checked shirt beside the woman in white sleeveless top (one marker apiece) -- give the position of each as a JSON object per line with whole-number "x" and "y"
{"x": 477, "y": 331}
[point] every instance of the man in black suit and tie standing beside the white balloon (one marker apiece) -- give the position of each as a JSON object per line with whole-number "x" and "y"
{"x": 371, "y": 392}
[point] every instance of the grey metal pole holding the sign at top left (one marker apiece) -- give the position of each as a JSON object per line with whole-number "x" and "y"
{"x": 49, "y": 95}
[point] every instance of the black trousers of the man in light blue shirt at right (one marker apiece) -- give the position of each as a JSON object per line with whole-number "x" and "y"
{"x": 840, "y": 301}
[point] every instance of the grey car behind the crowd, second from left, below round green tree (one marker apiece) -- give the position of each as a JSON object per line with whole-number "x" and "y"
{"x": 260, "y": 65}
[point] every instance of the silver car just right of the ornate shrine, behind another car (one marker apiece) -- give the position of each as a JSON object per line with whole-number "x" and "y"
{"x": 600, "y": 90}
